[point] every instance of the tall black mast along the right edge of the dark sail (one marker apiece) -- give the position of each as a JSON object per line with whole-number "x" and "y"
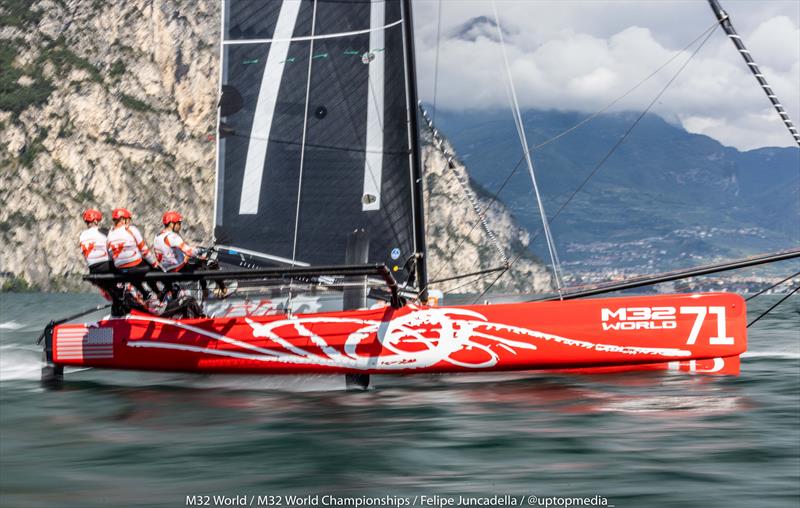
{"x": 416, "y": 166}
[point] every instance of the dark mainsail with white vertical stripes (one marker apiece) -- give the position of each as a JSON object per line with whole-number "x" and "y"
{"x": 317, "y": 132}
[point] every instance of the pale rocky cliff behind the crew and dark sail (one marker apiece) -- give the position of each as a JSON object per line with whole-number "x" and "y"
{"x": 113, "y": 103}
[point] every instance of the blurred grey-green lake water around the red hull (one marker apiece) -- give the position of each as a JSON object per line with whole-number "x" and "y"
{"x": 638, "y": 439}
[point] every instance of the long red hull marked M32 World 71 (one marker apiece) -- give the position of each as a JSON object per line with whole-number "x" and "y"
{"x": 702, "y": 333}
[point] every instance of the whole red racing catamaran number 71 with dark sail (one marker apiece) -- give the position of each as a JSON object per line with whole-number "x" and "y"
{"x": 319, "y": 219}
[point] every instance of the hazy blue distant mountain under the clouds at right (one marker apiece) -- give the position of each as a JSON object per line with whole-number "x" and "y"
{"x": 664, "y": 199}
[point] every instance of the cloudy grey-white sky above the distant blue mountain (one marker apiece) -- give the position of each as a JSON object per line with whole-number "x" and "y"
{"x": 581, "y": 55}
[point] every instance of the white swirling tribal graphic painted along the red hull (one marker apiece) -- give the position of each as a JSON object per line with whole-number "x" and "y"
{"x": 419, "y": 339}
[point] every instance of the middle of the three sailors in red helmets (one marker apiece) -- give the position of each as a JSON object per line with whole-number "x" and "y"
{"x": 128, "y": 249}
